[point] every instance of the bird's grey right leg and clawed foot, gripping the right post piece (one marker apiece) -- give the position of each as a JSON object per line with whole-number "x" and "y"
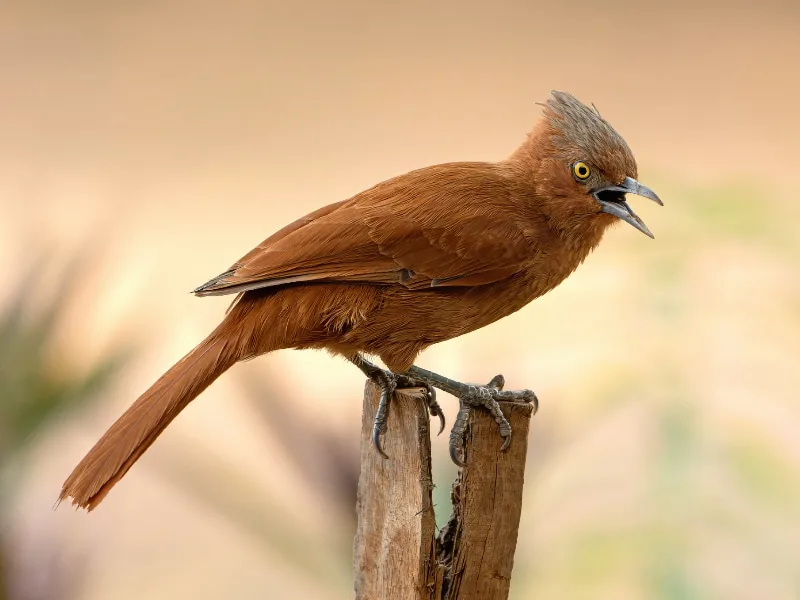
{"x": 470, "y": 396}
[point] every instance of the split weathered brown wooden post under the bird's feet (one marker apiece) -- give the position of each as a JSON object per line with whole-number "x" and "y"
{"x": 397, "y": 553}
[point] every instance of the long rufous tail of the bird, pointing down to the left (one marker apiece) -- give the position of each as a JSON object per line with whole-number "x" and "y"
{"x": 128, "y": 438}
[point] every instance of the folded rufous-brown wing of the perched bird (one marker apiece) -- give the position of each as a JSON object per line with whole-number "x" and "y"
{"x": 447, "y": 225}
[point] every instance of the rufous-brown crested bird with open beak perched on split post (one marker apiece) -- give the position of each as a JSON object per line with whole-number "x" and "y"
{"x": 417, "y": 259}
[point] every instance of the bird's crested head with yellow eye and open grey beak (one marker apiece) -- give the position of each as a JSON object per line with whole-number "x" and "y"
{"x": 584, "y": 167}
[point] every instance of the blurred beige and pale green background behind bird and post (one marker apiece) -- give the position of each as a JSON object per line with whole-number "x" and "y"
{"x": 146, "y": 146}
